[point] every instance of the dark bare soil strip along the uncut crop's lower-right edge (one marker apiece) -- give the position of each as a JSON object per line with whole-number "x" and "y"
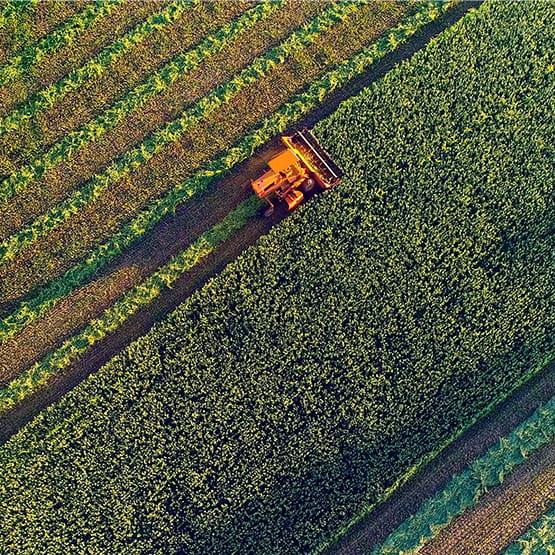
{"x": 405, "y": 501}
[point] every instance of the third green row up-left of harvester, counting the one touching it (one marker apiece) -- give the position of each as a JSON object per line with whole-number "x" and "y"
{"x": 155, "y": 84}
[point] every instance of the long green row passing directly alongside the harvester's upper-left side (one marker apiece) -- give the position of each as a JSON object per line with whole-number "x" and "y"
{"x": 276, "y": 123}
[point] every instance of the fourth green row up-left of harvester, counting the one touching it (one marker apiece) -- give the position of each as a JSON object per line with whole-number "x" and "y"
{"x": 94, "y": 67}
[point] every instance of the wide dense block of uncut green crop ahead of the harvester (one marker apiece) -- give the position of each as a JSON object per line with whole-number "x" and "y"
{"x": 348, "y": 344}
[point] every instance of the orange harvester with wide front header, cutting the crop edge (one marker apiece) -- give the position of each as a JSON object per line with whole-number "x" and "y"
{"x": 301, "y": 167}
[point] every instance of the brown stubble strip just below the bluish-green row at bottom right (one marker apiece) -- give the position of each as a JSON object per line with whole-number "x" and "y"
{"x": 504, "y": 513}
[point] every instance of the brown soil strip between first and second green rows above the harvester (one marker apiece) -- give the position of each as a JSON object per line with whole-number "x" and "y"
{"x": 54, "y": 252}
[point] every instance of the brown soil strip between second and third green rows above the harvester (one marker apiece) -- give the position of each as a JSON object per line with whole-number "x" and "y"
{"x": 188, "y": 89}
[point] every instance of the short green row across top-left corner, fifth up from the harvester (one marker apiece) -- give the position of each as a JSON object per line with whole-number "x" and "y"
{"x": 68, "y": 33}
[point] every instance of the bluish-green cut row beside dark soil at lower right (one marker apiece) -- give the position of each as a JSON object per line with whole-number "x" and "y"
{"x": 465, "y": 490}
